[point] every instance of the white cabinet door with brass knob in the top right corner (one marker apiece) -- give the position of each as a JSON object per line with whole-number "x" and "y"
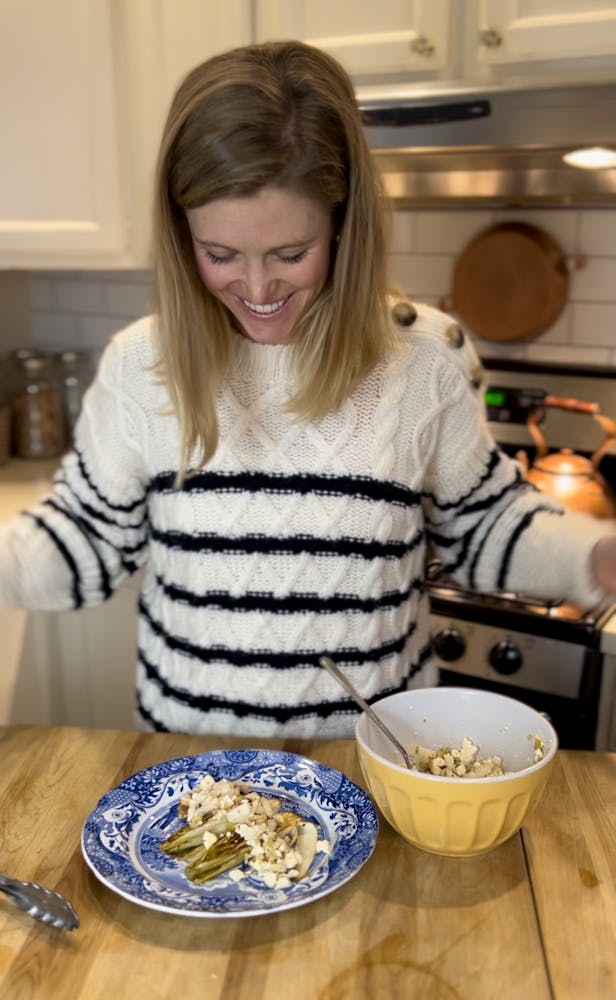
{"x": 535, "y": 31}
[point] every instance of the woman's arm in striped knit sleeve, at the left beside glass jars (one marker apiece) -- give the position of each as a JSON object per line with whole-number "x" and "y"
{"x": 83, "y": 539}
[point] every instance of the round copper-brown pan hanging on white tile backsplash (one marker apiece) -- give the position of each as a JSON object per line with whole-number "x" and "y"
{"x": 511, "y": 282}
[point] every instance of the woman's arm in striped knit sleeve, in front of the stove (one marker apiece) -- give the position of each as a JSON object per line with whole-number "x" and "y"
{"x": 492, "y": 529}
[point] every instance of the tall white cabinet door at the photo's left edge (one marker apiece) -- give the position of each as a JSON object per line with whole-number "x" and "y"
{"x": 59, "y": 167}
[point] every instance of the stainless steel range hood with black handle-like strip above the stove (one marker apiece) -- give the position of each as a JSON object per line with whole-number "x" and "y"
{"x": 472, "y": 146}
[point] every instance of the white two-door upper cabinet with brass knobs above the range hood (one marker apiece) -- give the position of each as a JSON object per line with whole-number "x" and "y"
{"x": 423, "y": 41}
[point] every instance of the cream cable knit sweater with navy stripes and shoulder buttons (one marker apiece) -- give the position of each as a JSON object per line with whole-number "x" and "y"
{"x": 296, "y": 539}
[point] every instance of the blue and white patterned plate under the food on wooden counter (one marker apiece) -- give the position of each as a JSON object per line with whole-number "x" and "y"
{"x": 121, "y": 835}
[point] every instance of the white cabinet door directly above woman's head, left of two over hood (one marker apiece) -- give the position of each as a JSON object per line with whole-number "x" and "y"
{"x": 388, "y": 39}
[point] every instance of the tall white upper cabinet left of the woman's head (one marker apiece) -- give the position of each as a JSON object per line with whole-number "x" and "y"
{"x": 84, "y": 88}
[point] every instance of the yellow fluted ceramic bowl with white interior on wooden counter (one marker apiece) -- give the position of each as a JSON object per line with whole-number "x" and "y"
{"x": 456, "y": 816}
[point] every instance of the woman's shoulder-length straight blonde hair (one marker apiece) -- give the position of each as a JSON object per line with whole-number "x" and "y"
{"x": 278, "y": 115}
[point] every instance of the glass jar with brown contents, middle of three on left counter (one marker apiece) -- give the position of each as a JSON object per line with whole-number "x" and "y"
{"x": 38, "y": 422}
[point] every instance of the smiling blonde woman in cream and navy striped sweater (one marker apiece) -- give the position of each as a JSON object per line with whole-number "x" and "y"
{"x": 281, "y": 444}
